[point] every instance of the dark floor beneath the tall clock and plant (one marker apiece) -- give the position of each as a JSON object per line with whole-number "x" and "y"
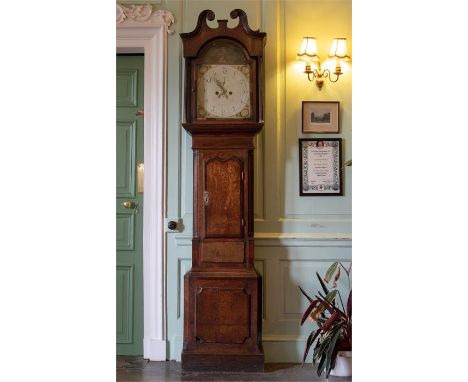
{"x": 137, "y": 369}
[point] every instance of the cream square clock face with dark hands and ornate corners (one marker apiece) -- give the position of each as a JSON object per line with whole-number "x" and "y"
{"x": 223, "y": 91}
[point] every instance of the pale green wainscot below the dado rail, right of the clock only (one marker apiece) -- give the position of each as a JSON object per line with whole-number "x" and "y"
{"x": 285, "y": 268}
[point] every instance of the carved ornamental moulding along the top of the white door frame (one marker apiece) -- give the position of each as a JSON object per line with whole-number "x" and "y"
{"x": 143, "y": 14}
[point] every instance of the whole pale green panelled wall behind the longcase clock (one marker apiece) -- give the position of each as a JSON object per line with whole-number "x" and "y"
{"x": 296, "y": 236}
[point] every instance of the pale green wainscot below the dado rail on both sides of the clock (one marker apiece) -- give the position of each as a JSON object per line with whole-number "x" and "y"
{"x": 284, "y": 261}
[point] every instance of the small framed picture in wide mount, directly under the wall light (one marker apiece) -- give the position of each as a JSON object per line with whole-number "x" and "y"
{"x": 320, "y": 117}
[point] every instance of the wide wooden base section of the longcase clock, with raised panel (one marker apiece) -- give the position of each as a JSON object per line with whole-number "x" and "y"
{"x": 225, "y": 321}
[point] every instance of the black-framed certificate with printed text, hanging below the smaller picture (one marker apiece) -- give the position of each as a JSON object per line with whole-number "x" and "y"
{"x": 320, "y": 167}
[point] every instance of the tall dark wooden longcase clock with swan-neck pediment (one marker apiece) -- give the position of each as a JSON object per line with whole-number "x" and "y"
{"x": 223, "y": 112}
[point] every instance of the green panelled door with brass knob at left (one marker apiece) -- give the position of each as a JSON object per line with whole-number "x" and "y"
{"x": 129, "y": 209}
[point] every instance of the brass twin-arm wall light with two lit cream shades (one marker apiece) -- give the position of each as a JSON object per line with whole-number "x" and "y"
{"x": 308, "y": 52}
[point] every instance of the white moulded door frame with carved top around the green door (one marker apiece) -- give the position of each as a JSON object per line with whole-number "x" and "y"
{"x": 143, "y": 30}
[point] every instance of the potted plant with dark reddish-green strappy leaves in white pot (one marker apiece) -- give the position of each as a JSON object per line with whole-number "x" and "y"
{"x": 332, "y": 350}
